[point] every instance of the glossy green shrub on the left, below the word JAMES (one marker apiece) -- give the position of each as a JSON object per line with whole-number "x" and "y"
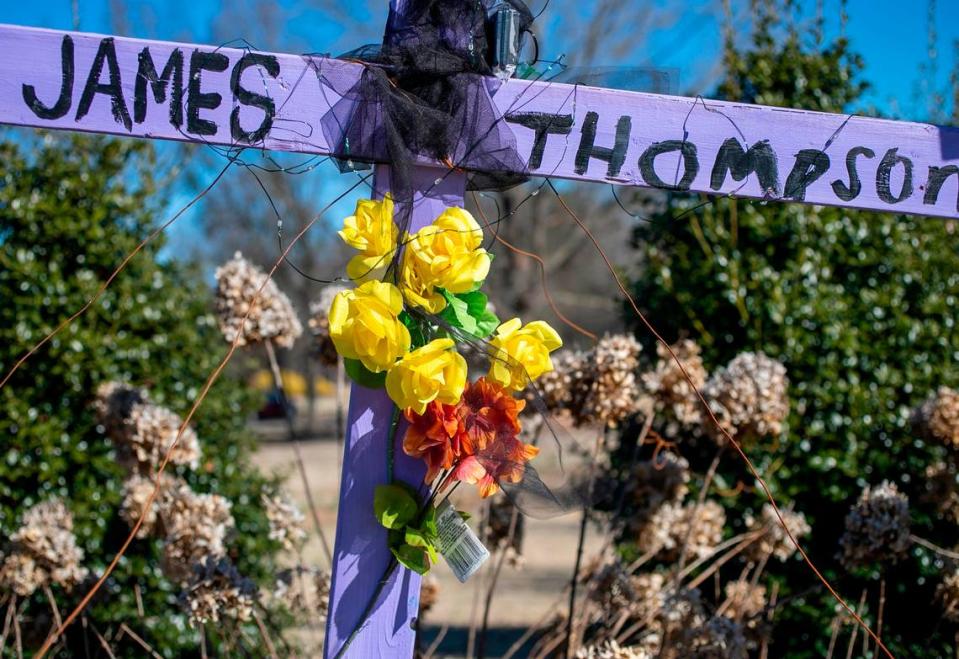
{"x": 70, "y": 210}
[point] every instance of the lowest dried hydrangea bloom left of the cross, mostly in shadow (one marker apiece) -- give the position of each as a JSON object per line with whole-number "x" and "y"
{"x": 217, "y": 591}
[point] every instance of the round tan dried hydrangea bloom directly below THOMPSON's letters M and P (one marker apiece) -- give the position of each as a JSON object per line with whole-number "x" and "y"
{"x": 748, "y": 397}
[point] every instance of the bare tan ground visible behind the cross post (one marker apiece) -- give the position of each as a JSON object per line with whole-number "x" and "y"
{"x": 524, "y": 594}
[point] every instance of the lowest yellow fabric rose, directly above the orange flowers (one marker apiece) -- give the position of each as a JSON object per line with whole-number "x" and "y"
{"x": 434, "y": 372}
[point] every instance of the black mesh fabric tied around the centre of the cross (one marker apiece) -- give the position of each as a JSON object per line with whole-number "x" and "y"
{"x": 426, "y": 93}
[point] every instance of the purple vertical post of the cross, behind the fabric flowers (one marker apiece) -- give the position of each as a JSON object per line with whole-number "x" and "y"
{"x": 361, "y": 554}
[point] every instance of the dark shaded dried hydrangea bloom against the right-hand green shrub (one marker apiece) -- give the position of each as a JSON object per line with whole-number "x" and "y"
{"x": 877, "y": 527}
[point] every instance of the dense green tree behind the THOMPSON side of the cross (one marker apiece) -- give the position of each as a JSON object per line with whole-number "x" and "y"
{"x": 860, "y": 307}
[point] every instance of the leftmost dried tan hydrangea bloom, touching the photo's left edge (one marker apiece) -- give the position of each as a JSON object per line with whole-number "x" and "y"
{"x": 43, "y": 551}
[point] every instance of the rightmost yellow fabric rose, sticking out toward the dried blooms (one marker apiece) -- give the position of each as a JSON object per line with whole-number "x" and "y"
{"x": 520, "y": 354}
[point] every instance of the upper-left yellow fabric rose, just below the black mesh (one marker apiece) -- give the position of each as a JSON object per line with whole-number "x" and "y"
{"x": 370, "y": 230}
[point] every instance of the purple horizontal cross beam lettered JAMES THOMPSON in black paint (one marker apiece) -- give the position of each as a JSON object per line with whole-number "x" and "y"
{"x": 230, "y": 97}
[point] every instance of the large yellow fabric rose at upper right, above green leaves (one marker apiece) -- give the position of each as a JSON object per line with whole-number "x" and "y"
{"x": 446, "y": 254}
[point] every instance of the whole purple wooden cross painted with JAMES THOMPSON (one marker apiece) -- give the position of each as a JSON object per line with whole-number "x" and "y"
{"x": 230, "y": 97}
